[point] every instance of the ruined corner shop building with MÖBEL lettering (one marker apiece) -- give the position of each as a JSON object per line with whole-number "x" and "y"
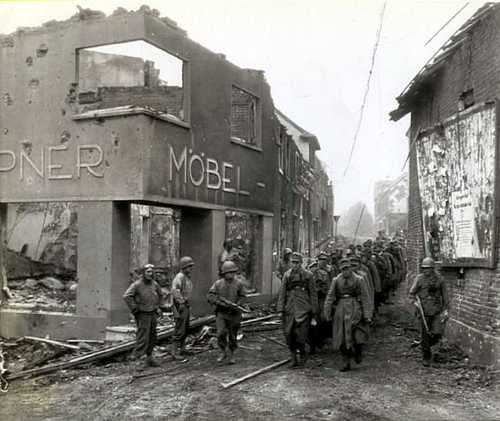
{"x": 147, "y": 146}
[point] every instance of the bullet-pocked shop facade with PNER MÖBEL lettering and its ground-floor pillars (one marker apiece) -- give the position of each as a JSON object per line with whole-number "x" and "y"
{"x": 64, "y": 142}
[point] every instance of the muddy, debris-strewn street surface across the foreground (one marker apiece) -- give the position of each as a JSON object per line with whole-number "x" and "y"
{"x": 390, "y": 384}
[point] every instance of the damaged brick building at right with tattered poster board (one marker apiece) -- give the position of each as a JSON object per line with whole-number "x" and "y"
{"x": 453, "y": 192}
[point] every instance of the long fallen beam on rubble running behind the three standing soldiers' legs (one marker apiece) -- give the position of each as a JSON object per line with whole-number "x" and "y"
{"x": 103, "y": 353}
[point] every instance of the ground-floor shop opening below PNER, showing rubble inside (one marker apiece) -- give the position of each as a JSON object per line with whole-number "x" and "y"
{"x": 41, "y": 255}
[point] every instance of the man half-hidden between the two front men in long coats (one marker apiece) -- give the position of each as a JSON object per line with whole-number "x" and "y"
{"x": 321, "y": 276}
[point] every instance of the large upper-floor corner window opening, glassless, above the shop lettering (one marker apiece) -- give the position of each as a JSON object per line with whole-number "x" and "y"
{"x": 131, "y": 74}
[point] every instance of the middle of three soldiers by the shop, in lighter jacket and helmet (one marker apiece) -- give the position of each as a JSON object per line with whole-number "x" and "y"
{"x": 182, "y": 287}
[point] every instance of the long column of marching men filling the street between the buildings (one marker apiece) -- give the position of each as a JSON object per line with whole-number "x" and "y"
{"x": 337, "y": 296}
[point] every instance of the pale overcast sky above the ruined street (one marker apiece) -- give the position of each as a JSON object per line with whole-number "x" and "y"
{"x": 316, "y": 55}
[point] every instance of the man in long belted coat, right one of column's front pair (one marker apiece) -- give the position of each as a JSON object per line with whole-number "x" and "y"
{"x": 350, "y": 295}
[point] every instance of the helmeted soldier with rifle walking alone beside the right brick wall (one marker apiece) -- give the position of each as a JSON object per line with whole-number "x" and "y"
{"x": 429, "y": 289}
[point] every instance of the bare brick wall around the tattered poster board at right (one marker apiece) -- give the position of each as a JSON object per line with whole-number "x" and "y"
{"x": 475, "y": 299}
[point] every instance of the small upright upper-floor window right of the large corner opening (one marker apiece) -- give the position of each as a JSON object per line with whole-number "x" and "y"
{"x": 244, "y": 117}
